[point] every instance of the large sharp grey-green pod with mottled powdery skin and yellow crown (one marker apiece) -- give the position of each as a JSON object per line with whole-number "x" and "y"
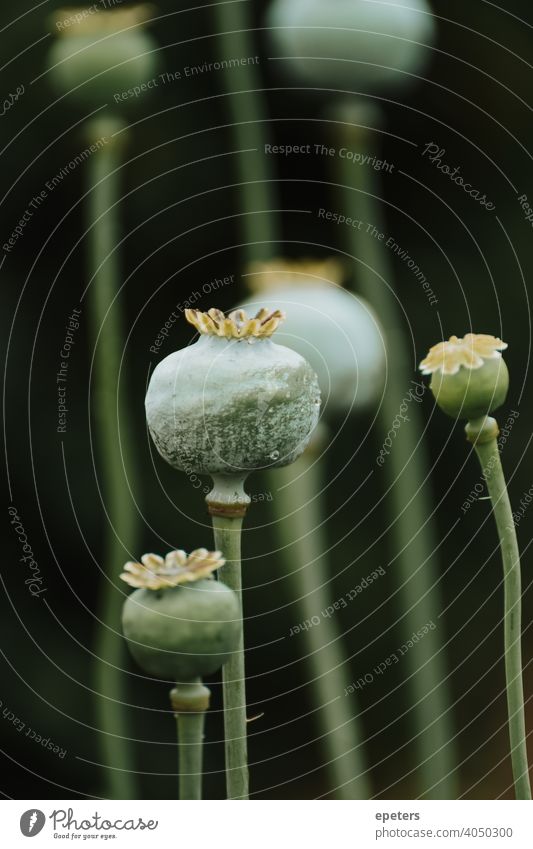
{"x": 234, "y": 401}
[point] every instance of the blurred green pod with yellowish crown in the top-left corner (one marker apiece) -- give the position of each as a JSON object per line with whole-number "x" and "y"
{"x": 102, "y": 56}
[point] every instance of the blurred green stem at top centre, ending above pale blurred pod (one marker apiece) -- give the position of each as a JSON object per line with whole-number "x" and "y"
{"x": 247, "y": 109}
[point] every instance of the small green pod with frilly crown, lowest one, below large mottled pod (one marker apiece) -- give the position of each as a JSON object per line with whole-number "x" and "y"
{"x": 179, "y": 624}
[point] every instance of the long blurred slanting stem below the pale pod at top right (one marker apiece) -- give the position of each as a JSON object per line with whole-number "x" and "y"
{"x": 406, "y": 468}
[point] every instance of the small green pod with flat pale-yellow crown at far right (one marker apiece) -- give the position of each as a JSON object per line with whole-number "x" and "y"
{"x": 469, "y": 376}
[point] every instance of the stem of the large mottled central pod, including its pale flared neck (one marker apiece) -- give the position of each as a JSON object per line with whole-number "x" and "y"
{"x": 227, "y": 505}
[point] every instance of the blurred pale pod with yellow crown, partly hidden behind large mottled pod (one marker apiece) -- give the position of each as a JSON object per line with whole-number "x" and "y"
{"x": 337, "y": 332}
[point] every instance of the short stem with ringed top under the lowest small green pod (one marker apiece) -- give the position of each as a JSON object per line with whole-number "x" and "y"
{"x": 190, "y": 702}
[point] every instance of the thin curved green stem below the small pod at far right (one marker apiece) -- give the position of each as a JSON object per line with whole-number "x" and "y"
{"x": 484, "y": 434}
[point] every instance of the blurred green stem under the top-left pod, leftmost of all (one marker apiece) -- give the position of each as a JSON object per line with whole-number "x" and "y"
{"x": 115, "y": 454}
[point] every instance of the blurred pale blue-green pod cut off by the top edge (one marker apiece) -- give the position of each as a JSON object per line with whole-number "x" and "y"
{"x": 352, "y": 42}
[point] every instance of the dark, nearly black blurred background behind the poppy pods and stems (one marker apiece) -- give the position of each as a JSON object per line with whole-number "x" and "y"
{"x": 179, "y": 230}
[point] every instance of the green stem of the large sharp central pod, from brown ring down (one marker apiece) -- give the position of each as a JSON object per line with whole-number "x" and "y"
{"x": 227, "y": 531}
